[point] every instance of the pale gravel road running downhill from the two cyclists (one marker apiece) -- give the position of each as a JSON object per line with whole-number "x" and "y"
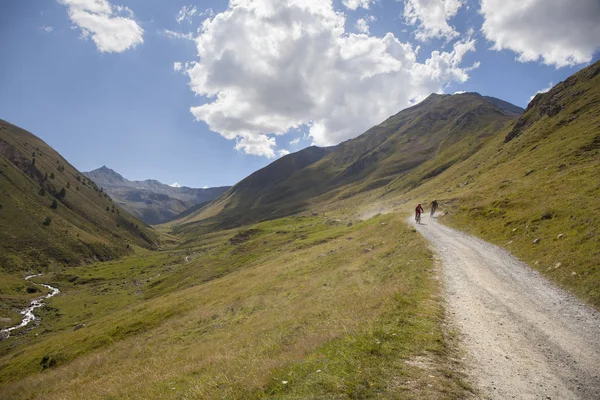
{"x": 524, "y": 337}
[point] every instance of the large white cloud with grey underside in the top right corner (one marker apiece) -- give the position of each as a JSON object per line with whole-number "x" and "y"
{"x": 557, "y": 32}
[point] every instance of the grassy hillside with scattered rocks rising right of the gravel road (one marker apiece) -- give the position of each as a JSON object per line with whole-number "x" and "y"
{"x": 536, "y": 179}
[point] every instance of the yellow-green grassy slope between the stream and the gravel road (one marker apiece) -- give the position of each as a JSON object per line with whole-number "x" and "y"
{"x": 292, "y": 308}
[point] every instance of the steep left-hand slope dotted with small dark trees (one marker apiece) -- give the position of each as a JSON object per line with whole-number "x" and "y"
{"x": 50, "y": 212}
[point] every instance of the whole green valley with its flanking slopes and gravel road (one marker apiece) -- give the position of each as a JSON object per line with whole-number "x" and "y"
{"x": 305, "y": 280}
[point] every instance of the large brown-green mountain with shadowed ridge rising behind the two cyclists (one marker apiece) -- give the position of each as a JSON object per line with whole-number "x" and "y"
{"x": 446, "y": 128}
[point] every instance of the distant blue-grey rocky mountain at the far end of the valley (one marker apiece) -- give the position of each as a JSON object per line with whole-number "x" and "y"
{"x": 150, "y": 200}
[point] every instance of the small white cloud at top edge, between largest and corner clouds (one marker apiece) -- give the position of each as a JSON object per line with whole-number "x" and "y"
{"x": 431, "y": 17}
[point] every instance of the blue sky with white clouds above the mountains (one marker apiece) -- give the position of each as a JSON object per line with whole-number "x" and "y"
{"x": 203, "y": 93}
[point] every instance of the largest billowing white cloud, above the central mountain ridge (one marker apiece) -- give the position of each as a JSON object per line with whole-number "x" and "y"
{"x": 267, "y": 66}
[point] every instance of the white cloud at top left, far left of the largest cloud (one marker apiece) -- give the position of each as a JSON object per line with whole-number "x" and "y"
{"x": 110, "y": 31}
